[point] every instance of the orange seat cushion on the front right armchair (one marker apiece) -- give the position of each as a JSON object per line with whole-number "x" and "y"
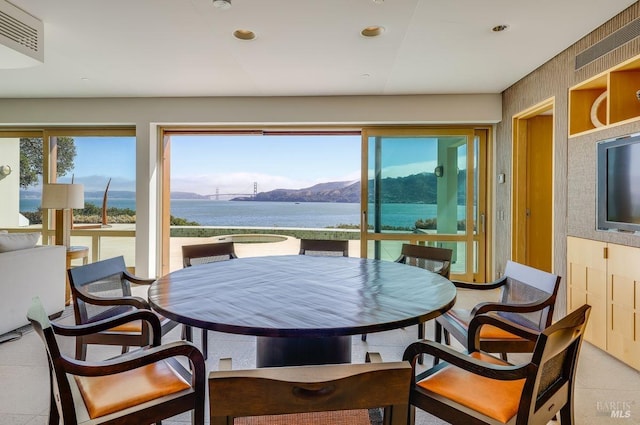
{"x": 497, "y": 399}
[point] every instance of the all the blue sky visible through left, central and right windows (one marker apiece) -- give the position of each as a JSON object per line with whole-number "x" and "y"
{"x": 232, "y": 163}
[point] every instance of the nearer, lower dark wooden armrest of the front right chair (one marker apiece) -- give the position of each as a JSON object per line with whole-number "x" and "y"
{"x": 463, "y": 361}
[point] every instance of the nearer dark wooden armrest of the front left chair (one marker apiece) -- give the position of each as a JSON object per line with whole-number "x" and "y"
{"x": 141, "y": 358}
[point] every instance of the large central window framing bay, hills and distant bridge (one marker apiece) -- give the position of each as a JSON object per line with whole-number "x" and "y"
{"x": 293, "y": 185}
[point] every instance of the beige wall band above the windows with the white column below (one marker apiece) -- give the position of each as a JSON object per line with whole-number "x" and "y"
{"x": 148, "y": 113}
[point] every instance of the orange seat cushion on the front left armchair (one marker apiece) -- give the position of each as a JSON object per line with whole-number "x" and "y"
{"x": 111, "y": 393}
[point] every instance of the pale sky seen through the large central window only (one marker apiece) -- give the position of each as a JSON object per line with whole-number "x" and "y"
{"x": 231, "y": 164}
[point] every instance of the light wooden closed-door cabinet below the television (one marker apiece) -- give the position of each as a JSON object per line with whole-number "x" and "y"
{"x": 607, "y": 277}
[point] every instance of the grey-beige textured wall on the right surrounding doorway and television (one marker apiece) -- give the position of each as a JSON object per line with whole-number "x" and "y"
{"x": 574, "y": 159}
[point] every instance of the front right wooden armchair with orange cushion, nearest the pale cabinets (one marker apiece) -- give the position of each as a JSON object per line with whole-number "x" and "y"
{"x": 477, "y": 388}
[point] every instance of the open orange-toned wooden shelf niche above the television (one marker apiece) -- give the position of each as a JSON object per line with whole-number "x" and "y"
{"x": 607, "y": 99}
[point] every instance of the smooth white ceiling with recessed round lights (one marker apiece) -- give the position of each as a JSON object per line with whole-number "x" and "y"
{"x": 141, "y": 48}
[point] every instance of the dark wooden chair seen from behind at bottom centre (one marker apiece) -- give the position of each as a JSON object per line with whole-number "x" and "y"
{"x": 333, "y": 393}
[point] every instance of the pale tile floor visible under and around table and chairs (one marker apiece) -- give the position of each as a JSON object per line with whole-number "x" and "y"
{"x": 24, "y": 390}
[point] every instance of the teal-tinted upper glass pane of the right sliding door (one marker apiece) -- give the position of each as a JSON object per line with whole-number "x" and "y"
{"x": 417, "y": 184}
